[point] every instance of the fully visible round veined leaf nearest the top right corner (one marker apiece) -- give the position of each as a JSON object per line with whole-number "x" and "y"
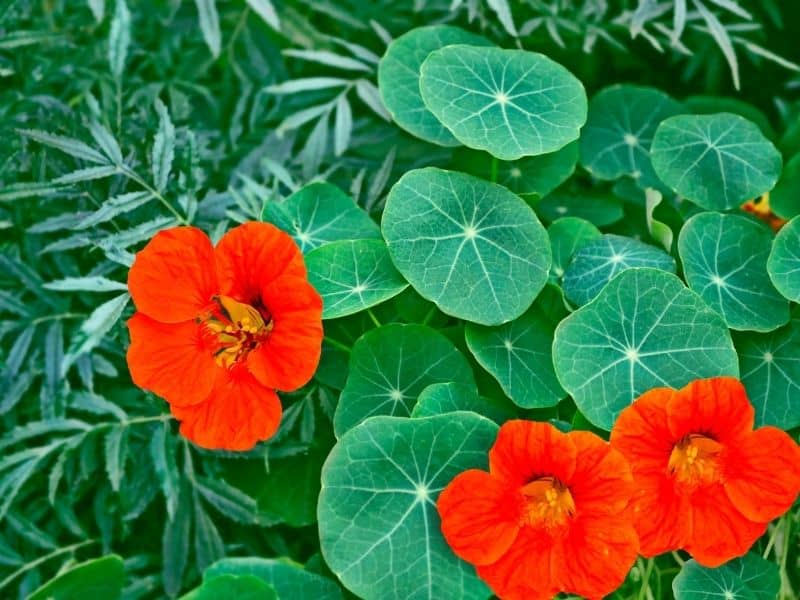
{"x": 716, "y": 161}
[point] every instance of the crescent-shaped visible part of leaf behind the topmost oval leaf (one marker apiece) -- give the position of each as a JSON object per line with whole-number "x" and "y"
{"x": 398, "y": 79}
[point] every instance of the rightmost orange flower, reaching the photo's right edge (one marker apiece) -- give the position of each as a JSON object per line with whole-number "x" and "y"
{"x": 706, "y": 482}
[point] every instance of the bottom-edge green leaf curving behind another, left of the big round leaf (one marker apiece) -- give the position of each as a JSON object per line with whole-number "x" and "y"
{"x": 289, "y": 579}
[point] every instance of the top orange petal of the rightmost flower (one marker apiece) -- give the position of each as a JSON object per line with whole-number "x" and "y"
{"x": 717, "y": 407}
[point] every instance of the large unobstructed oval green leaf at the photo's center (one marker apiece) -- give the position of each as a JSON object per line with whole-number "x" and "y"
{"x": 470, "y": 246}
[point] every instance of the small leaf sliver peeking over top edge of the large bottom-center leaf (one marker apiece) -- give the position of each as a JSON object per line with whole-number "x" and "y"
{"x": 441, "y": 398}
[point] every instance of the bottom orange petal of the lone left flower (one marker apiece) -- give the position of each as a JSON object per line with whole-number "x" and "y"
{"x": 238, "y": 413}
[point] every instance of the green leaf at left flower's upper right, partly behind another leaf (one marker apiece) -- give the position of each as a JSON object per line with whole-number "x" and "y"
{"x": 320, "y": 213}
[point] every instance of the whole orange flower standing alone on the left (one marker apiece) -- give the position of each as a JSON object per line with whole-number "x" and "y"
{"x": 219, "y": 329}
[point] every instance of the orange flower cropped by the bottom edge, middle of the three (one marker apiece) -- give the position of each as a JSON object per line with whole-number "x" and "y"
{"x": 550, "y": 516}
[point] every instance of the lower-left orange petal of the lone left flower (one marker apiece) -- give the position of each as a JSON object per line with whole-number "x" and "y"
{"x": 173, "y": 360}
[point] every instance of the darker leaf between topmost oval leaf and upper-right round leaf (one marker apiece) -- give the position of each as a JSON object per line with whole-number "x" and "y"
{"x": 619, "y": 130}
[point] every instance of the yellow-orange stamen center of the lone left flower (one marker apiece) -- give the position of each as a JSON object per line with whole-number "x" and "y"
{"x": 238, "y": 328}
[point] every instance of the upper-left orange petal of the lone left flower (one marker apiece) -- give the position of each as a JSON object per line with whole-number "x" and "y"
{"x": 174, "y": 277}
